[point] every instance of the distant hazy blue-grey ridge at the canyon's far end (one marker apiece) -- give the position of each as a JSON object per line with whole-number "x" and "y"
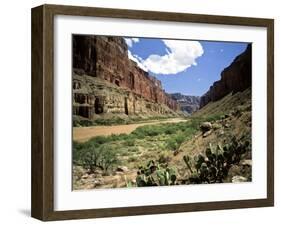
{"x": 188, "y": 104}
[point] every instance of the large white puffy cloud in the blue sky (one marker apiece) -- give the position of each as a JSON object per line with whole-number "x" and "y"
{"x": 179, "y": 56}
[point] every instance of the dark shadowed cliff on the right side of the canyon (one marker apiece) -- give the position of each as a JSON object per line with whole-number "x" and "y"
{"x": 235, "y": 78}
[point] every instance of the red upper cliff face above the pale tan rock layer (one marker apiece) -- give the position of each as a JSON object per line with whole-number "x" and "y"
{"x": 107, "y": 58}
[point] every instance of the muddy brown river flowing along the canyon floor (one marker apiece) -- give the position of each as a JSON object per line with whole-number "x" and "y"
{"x": 82, "y": 134}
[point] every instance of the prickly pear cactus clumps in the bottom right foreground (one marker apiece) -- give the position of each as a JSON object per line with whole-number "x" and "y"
{"x": 213, "y": 167}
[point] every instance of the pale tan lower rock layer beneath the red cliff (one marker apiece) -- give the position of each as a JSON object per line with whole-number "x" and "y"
{"x": 95, "y": 96}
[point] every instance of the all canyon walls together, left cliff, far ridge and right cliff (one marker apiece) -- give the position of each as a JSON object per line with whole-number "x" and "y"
{"x": 107, "y": 82}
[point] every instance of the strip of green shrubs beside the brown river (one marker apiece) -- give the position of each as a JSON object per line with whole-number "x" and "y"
{"x": 155, "y": 141}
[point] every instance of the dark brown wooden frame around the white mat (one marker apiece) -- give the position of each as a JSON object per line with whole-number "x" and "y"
{"x": 43, "y": 117}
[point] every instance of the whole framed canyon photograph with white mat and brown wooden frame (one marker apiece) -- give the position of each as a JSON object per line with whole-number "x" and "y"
{"x": 141, "y": 112}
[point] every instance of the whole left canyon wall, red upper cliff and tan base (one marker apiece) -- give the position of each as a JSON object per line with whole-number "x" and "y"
{"x": 105, "y": 80}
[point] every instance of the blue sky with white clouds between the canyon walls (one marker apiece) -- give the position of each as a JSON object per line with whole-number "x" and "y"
{"x": 188, "y": 67}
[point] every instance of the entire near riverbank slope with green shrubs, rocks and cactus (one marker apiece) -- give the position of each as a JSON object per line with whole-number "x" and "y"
{"x": 168, "y": 153}
